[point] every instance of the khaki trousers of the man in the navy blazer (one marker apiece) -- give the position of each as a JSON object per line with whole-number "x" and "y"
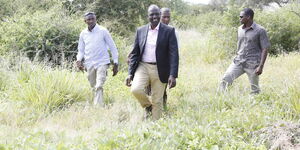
{"x": 147, "y": 74}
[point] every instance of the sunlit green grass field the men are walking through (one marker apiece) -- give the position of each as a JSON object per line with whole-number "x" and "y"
{"x": 42, "y": 107}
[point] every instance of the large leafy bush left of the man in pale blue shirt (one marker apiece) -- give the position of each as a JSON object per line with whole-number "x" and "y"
{"x": 47, "y": 35}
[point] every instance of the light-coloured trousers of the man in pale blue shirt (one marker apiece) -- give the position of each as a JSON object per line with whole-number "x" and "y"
{"x": 97, "y": 77}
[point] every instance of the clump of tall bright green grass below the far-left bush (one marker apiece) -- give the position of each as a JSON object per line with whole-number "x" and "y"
{"x": 44, "y": 87}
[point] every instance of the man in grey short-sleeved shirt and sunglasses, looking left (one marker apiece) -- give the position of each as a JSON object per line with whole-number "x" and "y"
{"x": 252, "y": 52}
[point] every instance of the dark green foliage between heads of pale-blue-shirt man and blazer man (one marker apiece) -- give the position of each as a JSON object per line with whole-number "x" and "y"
{"x": 124, "y": 16}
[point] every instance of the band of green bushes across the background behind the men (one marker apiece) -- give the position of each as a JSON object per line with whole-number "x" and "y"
{"x": 49, "y": 29}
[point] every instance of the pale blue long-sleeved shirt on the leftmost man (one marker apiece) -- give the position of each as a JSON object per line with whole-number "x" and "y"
{"x": 93, "y": 47}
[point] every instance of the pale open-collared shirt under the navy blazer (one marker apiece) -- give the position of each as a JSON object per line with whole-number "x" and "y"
{"x": 149, "y": 54}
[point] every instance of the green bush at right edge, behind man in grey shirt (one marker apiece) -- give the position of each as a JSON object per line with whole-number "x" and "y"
{"x": 283, "y": 28}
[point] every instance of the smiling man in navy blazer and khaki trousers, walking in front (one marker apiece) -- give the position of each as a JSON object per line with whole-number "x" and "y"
{"x": 153, "y": 60}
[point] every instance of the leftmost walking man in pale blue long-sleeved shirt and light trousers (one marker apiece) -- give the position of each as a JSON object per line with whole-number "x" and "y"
{"x": 93, "y": 55}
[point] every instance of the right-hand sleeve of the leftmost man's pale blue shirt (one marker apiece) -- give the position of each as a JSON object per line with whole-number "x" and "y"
{"x": 112, "y": 46}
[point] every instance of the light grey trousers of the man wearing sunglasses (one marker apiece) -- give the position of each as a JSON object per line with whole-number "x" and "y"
{"x": 234, "y": 71}
